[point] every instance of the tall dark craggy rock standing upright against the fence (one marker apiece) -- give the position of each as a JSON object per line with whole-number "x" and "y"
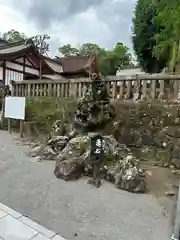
{"x": 94, "y": 110}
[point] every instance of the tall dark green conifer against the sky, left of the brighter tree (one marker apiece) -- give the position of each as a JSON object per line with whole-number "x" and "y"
{"x": 144, "y": 31}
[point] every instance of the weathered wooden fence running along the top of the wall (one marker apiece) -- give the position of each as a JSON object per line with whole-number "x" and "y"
{"x": 133, "y": 87}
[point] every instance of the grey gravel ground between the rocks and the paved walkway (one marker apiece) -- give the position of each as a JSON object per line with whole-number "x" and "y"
{"x": 74, "y": 209}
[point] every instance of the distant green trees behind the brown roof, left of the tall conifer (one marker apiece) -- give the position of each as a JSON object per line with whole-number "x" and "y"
{"x": 109, "y": 60}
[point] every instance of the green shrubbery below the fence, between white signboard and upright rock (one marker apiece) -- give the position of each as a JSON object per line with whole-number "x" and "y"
{"x": 45, "y": 111}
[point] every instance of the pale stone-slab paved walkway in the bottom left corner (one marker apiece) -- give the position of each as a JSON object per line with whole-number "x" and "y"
{"x": 15, "y": 226}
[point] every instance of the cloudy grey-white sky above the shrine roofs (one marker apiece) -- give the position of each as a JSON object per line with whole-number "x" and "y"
{"x": 70, "y": 21}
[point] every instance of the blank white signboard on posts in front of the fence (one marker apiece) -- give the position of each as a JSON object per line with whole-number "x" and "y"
{"x": 15, "y": 107}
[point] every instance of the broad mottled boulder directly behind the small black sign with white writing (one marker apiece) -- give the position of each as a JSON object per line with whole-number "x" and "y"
{"x": 121, "y": 168}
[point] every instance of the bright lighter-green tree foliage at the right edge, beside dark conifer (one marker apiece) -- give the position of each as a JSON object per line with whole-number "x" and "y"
{"x": 168, "y": 39}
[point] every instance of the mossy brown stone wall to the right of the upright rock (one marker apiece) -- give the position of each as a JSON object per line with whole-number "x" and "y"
{"x": 151, "y": 130}
